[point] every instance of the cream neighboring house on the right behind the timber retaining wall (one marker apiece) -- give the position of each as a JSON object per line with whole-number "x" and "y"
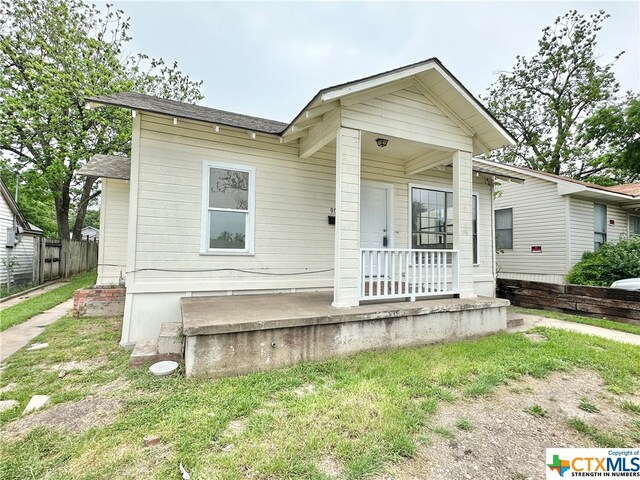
{"x": 545, "y": 225}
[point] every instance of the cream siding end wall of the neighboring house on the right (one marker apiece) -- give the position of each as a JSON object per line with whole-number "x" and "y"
{"x": 539, "y": 219}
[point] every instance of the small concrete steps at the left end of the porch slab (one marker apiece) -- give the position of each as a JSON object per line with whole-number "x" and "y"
{"x": 168, "y": 346}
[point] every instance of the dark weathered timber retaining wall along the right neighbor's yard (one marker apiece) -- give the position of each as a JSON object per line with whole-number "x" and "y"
{"x": 611, "y": 303}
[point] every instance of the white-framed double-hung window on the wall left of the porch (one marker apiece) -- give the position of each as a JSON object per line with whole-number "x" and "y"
{"x": 228, "y": 208}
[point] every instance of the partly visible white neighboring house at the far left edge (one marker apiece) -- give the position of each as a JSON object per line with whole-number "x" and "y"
{"x": 17, "y": 239}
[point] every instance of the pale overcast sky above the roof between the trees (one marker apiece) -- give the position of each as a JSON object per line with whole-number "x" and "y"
{"x": 269, "y": 58}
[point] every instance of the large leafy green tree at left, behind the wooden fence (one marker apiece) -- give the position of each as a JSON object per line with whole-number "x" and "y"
{"x": 54, "y": 53}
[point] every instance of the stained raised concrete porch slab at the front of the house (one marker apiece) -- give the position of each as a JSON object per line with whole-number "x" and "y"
{"x": 233, "y": 335}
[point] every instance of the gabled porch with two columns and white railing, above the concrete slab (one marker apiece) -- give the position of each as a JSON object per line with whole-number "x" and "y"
{"x": 425, "y": 121}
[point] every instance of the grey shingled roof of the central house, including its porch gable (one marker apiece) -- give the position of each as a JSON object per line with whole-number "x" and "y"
{"x": 489, "y": 130}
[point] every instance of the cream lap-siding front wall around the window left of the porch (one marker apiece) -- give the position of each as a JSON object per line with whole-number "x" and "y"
{"x": 293, "y": 200}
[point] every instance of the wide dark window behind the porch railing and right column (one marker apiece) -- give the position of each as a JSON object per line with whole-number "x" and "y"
{"x": 432, "y": 220}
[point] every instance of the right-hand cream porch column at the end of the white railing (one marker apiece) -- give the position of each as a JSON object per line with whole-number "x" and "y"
{"x": 463, "y": 220}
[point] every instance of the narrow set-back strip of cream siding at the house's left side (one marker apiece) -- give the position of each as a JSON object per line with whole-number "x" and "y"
{"x": 114, "y": 217}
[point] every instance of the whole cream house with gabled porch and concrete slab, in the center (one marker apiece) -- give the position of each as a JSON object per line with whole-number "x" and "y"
{"x": 369, "y": 194}
